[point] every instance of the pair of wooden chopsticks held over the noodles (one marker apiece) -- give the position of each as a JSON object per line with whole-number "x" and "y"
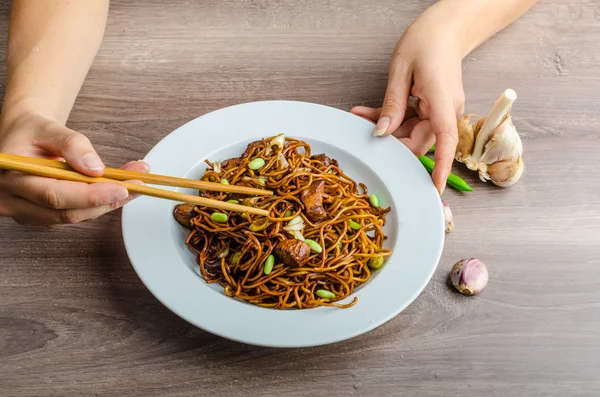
{"x": 60, "y": 170}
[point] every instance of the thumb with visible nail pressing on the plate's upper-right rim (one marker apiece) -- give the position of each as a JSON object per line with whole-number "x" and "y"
{"x": 396, "y": 98}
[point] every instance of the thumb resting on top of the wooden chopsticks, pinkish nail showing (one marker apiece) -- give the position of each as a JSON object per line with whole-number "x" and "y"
{"x": 74, "y": 147}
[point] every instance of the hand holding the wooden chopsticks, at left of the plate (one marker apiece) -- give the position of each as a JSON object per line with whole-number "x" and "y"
{"x": 36, "y": 201}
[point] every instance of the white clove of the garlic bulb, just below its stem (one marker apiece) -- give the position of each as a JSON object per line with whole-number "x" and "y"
{"x": 504, "y": 144}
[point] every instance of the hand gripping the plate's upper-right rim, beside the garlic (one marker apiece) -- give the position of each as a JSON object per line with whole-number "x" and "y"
{"x": 427, "y": 65}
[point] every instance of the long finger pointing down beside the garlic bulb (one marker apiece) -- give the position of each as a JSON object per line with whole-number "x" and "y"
{"x": 443, "y": 123}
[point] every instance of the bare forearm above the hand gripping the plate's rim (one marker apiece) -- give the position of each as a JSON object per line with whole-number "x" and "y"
{"x": 475, "y": 21}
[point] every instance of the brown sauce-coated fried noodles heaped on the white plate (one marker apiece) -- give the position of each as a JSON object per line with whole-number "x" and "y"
{"x": 234, "y": 253}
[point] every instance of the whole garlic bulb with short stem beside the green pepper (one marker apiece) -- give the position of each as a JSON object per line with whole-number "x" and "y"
{"x": 492, "y": 146}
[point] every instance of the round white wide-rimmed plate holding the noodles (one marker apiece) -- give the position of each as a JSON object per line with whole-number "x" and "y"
{"x": 415, "y": 227}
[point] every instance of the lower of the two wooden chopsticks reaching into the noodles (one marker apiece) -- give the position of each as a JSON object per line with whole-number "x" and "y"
{"x": 8, "y": 162}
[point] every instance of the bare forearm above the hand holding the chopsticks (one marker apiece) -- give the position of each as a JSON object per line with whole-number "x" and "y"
{"x": 51, "y": 46}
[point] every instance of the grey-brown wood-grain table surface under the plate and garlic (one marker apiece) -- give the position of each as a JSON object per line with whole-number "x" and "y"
{"x": 75, "y": 320}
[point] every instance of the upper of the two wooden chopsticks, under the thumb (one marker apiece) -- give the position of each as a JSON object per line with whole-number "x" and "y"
{"x": 123, "y": 175}
